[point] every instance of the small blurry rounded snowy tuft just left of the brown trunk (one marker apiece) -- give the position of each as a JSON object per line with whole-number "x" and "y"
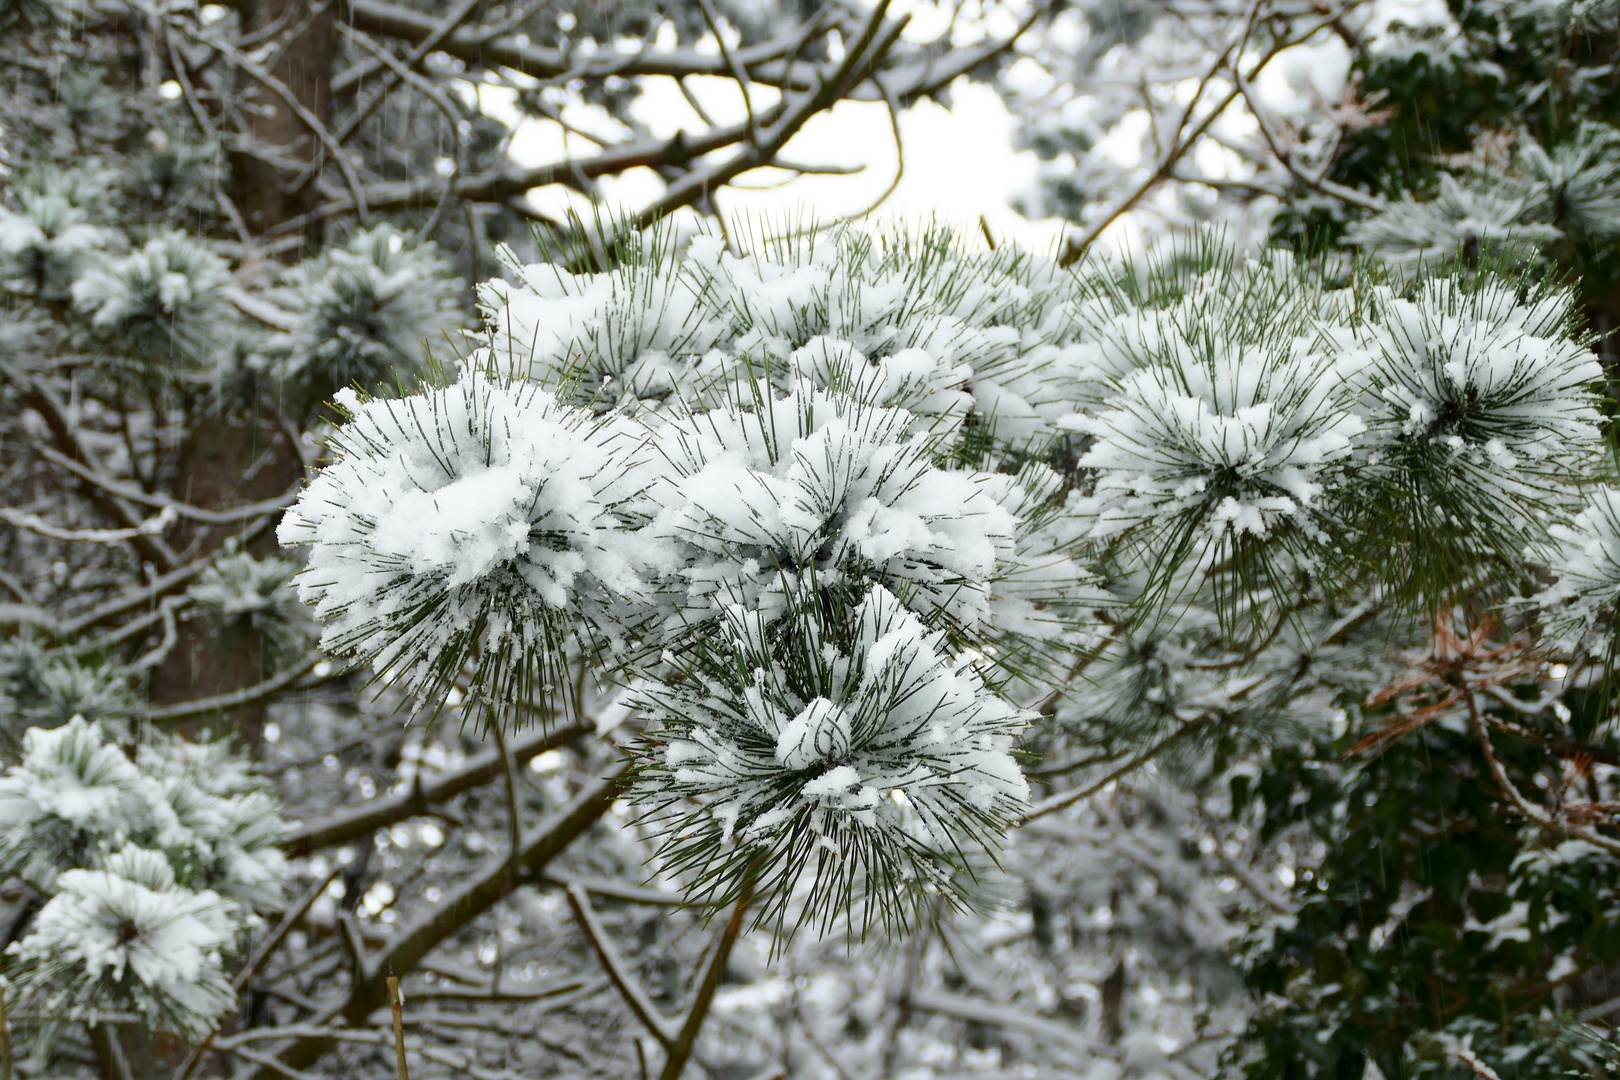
{"x": 164, "y": 304}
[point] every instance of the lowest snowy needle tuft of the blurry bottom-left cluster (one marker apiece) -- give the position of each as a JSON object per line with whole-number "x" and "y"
{"x": 127, "y": 940}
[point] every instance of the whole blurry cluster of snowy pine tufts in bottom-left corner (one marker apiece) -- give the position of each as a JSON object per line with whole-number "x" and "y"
{"x": 151, "y": 872}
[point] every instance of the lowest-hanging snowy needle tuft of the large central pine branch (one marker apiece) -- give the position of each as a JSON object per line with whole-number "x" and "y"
{"x": 843, "y": 763}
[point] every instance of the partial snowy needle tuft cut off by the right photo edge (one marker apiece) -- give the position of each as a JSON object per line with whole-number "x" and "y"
{"x": 1579, "y": 610}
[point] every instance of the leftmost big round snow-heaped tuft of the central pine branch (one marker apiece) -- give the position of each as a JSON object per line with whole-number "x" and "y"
{"x": 477, "y": 525}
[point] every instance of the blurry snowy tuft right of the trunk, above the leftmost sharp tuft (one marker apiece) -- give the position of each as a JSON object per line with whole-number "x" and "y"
{"x": 367, "y": 313}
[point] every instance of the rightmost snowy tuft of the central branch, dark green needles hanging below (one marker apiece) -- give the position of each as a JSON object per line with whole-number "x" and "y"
{"x": 1481, "y": 410}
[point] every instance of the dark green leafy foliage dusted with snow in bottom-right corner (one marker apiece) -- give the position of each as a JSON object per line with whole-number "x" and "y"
{"x": 1435, "y": 916}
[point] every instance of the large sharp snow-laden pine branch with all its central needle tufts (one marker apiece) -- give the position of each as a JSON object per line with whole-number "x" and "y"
{"x": 710, "y": 475}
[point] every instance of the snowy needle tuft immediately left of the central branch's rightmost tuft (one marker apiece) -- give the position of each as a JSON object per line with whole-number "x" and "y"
{"x": 1230, "y": 422}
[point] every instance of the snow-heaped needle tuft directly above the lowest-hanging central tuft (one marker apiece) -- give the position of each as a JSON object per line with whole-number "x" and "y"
{"x": 821, "y": 490}
